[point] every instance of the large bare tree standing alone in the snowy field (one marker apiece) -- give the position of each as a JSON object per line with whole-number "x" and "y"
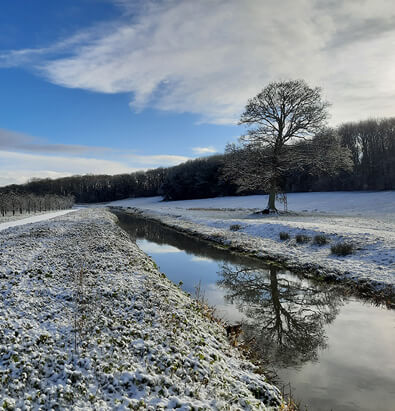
{"x": 282, "y": 114}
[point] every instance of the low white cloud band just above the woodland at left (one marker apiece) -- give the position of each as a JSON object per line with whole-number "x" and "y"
{"x": 23, "y": 157}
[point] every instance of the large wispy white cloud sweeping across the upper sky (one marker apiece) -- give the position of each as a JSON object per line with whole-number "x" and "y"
{"x": 210, "y": 56}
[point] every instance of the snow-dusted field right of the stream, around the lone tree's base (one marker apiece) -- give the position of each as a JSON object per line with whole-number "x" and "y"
{"x": 365, "y": 219}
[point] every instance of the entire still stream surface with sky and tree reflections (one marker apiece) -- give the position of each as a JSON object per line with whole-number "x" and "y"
{"x": 335, "y": 352}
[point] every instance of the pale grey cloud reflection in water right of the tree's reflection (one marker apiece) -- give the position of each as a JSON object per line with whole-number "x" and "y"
{"x": 358, "y": 368}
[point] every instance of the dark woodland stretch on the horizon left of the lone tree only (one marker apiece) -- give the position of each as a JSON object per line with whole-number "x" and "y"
{"x": 193, "y": 179}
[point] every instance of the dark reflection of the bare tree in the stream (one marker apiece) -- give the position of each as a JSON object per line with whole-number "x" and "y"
{"x": 286, "y": 315}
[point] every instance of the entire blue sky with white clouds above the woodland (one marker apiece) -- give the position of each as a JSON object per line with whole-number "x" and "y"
{"x": 111, "y": 86}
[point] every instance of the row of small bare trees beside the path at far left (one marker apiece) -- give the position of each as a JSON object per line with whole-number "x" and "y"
{"x": 13, "y": 203}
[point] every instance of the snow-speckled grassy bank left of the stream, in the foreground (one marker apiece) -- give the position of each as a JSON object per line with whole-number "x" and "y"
{"x": 88, "y": 321}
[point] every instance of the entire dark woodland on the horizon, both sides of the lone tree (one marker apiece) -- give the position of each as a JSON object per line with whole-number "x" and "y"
{"x": 371, "y": 142}
